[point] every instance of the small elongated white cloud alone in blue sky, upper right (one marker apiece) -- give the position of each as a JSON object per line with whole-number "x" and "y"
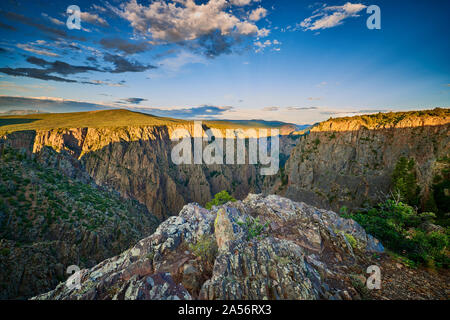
{"x": 332, "y": 16}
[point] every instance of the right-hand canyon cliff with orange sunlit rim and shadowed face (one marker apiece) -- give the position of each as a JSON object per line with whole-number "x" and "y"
{"x": 350, "y": 161}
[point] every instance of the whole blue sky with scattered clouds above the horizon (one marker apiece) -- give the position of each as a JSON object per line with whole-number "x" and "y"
{"x": 294, "y": 61}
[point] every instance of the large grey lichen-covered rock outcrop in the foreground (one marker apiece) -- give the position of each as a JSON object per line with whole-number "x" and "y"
{"x": 260, "y": 248}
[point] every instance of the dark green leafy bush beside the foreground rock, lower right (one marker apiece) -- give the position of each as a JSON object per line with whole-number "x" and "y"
{"x": 398, "y": 226}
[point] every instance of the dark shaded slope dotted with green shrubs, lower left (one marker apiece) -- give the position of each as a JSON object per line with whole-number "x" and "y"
{"x": 52, "y": 216}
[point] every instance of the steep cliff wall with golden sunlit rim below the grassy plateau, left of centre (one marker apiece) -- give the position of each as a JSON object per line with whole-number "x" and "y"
{"x": 136, "y": 162}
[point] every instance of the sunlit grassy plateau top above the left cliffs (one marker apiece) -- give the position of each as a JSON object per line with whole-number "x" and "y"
{"x": 106, "y": 118}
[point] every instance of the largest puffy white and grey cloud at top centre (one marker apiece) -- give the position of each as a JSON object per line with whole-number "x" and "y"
{"x": 213, "y": 25}
